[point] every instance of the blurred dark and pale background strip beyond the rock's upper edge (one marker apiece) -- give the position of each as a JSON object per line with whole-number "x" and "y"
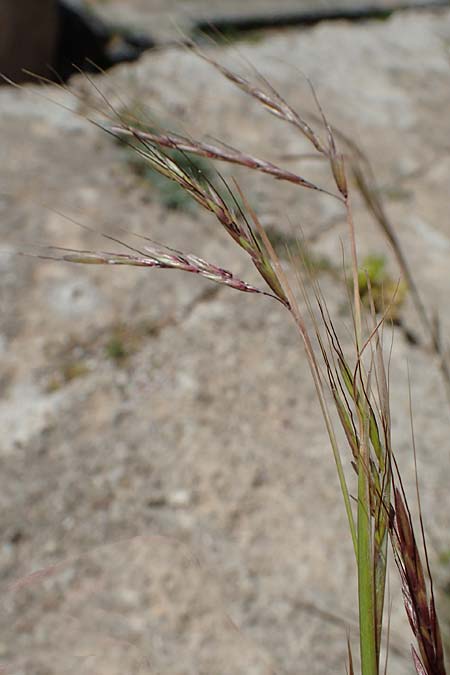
{"x": 52, "y": 36}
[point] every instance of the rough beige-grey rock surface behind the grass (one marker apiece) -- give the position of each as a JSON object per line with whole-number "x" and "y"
{"x": 186, "y": 495}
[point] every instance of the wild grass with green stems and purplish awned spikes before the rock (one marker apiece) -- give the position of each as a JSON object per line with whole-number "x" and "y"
{"x": 352, "y": 388}
